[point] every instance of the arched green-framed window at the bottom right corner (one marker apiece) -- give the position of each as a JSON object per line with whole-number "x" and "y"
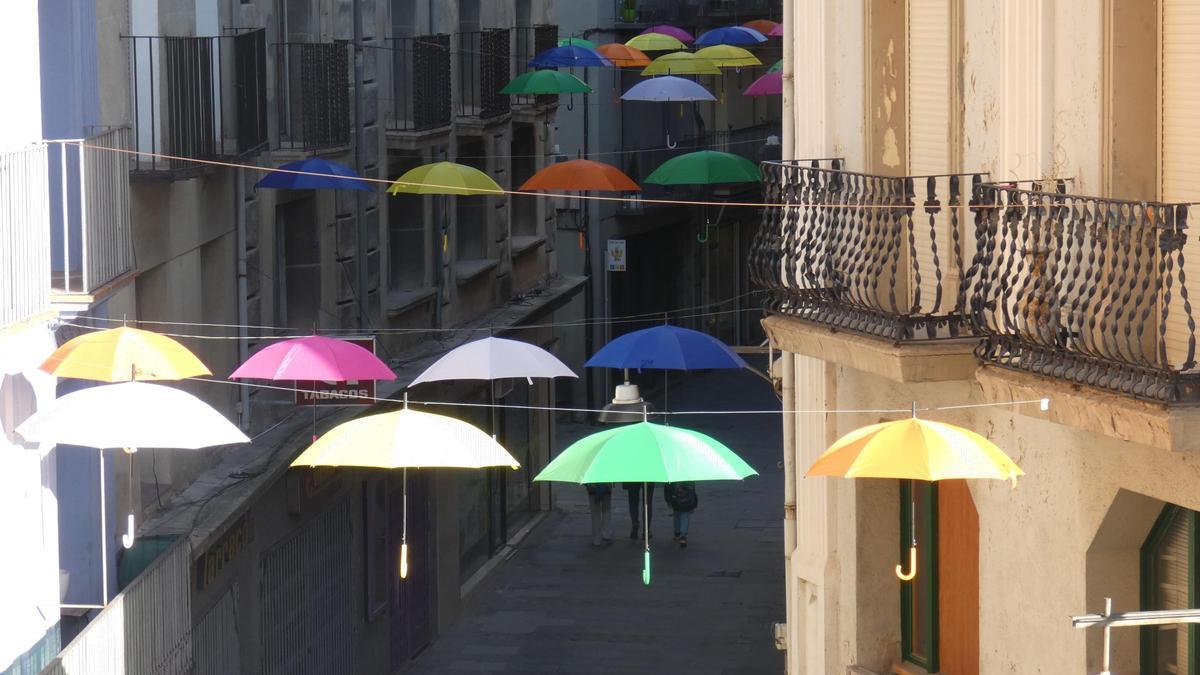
{"x": 1168, "y": 582}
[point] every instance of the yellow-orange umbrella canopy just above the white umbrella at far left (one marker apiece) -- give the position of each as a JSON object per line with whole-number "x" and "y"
{"x": 124, "y": 354}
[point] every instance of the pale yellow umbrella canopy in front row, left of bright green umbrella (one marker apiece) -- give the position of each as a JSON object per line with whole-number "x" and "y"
{"x": 406, "y": 439}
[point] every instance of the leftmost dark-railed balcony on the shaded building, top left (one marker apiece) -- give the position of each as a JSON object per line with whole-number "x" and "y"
{"x": 197, "y": 99}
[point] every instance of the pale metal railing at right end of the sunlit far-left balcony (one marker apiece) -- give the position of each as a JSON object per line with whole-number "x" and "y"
{"x": 91, "y": 231}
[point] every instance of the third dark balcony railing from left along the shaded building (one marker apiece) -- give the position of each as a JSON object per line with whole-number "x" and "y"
{"x": 421, "y": 83}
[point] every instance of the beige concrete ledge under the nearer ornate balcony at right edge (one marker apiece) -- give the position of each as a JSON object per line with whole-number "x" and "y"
{"x": 1169, "y": 428}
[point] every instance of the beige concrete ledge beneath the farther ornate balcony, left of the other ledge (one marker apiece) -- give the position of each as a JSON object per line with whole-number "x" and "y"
{"x": 940, "y": 361}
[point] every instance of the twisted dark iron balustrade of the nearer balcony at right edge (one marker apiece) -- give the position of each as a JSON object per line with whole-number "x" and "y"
{"x": 1088, "y": 290}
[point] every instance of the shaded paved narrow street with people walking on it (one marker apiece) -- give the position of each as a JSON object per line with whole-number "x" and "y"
{"x": 561, "y": 606}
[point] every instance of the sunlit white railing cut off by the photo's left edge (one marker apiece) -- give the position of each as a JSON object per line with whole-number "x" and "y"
{"x": 25, "y": 234}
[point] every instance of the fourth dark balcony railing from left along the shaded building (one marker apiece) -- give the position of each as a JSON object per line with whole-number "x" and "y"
{"x": 484, "y": 69}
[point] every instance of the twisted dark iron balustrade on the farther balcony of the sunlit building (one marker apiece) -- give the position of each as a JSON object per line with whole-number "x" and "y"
{"x": 865, "y": 253}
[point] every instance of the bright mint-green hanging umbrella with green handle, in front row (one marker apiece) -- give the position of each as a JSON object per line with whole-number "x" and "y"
{"x": 646, "y": 453}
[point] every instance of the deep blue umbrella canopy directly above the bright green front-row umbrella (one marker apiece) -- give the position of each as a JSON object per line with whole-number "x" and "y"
{"x": 667, "y": 348}
